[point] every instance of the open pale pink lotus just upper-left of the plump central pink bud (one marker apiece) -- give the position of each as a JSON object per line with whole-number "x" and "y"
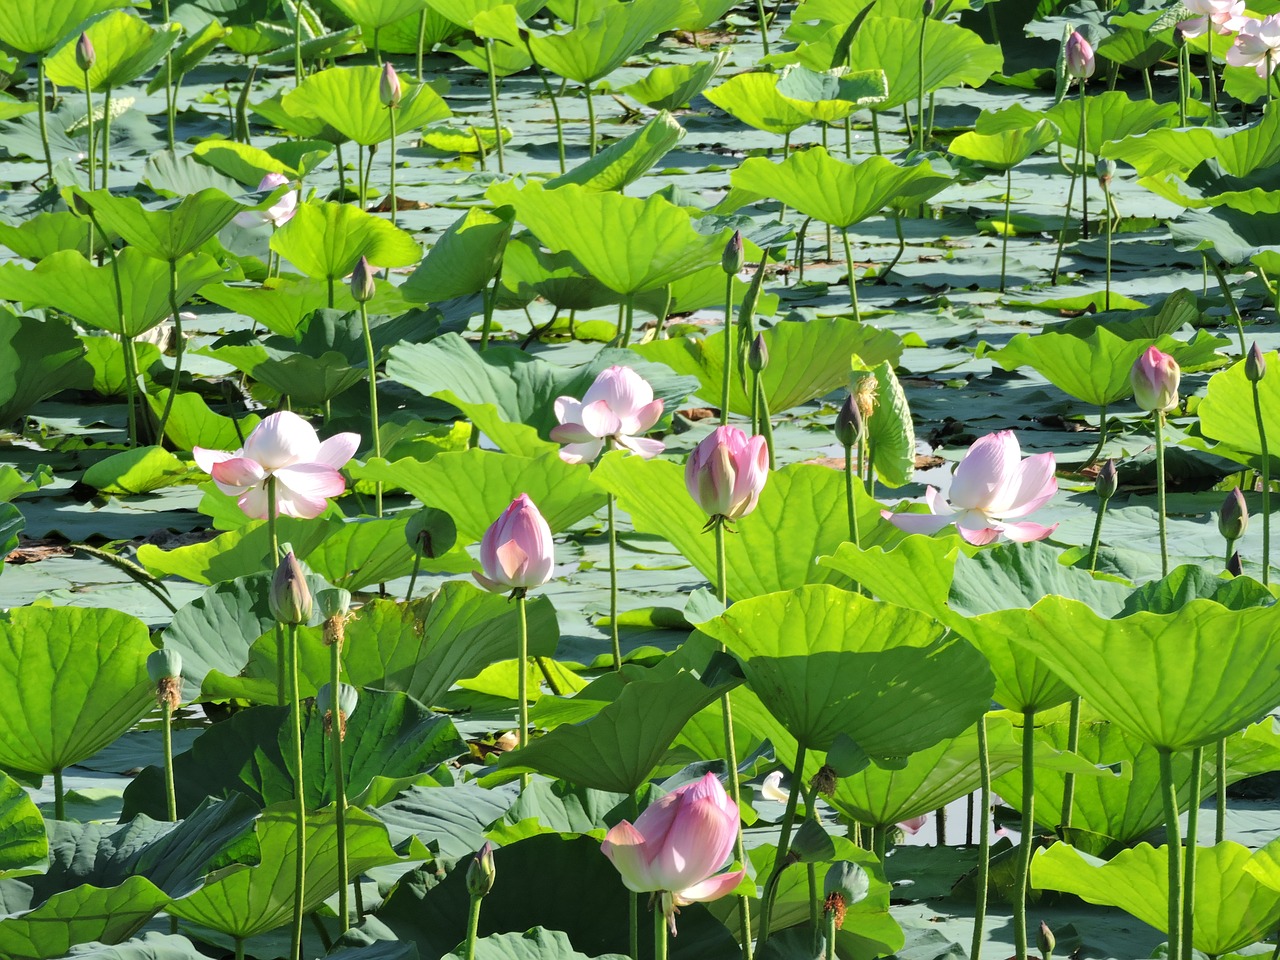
{"x": 619, "y": 406}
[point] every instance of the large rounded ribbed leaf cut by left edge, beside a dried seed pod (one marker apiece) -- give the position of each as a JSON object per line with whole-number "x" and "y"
{"x": 72, "y": 680}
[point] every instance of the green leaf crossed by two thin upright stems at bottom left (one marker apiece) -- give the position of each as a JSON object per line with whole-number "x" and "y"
{"x": 243, "y": 902}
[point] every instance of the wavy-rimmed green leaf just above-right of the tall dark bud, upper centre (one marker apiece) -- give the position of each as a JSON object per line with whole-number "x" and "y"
{"x": 834, "y": 191}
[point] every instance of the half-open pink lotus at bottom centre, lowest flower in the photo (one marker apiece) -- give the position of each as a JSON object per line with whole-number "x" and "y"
{"x": 678, "y": 845}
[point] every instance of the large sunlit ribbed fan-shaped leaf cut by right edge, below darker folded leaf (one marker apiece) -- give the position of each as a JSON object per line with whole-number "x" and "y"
{"x": 1176, "y": 680}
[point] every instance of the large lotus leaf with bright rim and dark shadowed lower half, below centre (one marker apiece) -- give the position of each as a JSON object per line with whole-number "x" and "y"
{"x": 828, "y": 662}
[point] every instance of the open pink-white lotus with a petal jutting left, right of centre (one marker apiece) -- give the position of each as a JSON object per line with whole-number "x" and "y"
{"x": 991, "y": 486}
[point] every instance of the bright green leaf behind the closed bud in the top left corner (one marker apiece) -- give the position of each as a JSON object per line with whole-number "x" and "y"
{"x": 127, "y": 48}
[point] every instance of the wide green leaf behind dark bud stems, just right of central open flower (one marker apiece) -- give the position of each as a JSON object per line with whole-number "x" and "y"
{"x": 807, "y": 360}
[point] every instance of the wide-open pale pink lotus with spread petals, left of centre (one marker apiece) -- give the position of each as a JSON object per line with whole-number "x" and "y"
{"x": 286, "y": 447}
